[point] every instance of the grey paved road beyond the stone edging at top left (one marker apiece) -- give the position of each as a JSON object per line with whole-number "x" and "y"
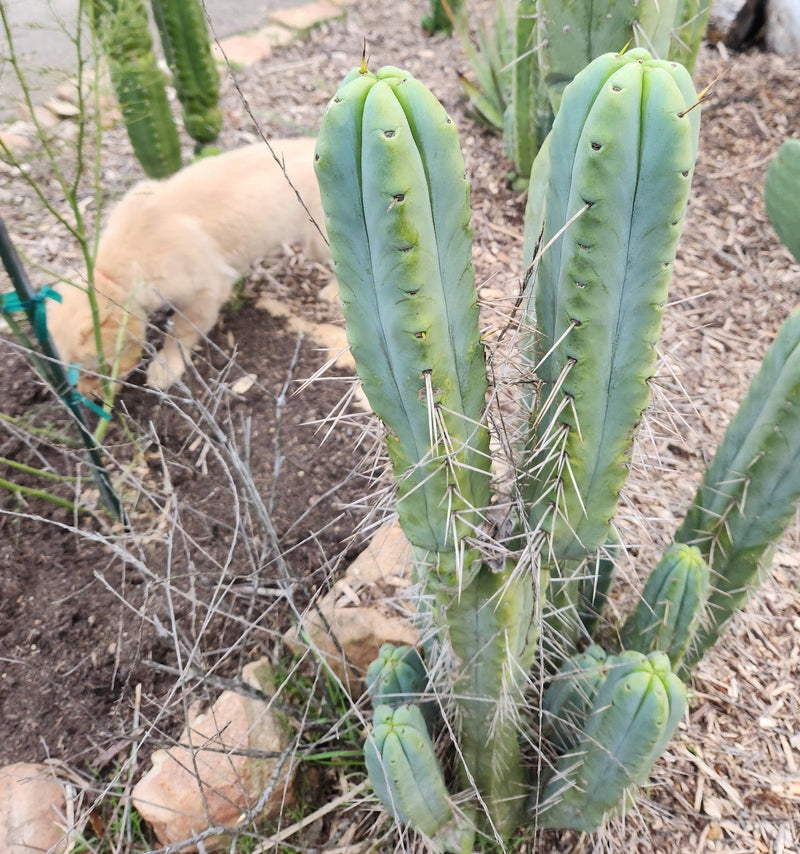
{"x": 47, "y": 54}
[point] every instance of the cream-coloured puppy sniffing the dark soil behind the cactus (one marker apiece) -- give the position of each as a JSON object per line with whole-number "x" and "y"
{"x": 183, "y": 243}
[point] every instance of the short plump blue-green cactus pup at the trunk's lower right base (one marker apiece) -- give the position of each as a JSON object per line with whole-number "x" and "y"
{"x": 635, "y": 710}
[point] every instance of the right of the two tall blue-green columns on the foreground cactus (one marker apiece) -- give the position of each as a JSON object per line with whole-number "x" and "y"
{"x": 625, "y": 137}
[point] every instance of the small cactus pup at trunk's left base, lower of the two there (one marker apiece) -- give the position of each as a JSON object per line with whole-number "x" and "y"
{"x": 404, "y": 770}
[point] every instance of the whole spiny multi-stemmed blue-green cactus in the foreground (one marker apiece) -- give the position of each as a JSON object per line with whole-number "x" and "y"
{"x": 606, "y": 204}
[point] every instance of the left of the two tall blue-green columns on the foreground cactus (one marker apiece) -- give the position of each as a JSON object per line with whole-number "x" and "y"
{"x": 396, "y": 198}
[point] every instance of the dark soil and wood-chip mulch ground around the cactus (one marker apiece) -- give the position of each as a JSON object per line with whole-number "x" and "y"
{"x": 107, "y": 635}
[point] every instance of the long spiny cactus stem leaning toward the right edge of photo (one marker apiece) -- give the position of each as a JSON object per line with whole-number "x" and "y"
{"x": 749, "y": 492}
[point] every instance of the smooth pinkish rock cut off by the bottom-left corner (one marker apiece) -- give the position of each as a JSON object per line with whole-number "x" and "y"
{"x": 32, "y": 806}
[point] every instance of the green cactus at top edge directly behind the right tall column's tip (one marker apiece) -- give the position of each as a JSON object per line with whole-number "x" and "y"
{"x": 576, "y": 33}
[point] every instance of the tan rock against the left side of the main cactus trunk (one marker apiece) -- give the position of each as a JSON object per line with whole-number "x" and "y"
{"x": 358, "y": 616}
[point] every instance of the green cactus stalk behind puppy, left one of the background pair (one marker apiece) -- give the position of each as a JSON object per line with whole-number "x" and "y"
{"x": 124, "y": 33}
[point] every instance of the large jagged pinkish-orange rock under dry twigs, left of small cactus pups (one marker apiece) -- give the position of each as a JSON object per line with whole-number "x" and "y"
{"x": 180, "y": 803}
